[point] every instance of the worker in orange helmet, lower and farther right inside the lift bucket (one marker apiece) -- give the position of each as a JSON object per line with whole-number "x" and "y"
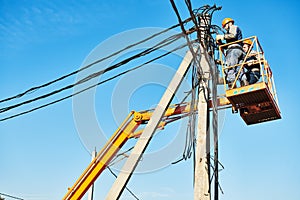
{"x": 251, "y": 70}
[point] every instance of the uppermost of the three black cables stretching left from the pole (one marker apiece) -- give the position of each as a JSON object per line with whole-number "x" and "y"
{"x": 33, "y": 89}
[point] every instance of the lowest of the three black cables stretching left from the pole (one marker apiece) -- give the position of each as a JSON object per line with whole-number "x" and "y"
{"x": 92, "y": 86}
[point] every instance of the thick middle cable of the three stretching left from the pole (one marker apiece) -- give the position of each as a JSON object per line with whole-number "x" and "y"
{"x": 161, "y": 44}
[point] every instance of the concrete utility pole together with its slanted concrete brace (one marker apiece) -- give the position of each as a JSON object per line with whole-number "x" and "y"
{"x": 202, "y": 187}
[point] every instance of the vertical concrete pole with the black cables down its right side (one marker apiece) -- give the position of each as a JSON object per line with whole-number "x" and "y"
{"x": 207, "y": 90}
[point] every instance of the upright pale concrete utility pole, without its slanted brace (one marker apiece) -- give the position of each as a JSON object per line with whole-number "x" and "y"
{"x": 202, "y": 189}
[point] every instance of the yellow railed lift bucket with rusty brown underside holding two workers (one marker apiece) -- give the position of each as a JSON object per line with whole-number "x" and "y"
{"x": 257, "y": 102}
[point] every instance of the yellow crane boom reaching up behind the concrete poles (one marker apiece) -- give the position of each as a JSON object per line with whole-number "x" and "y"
{"x": 127, "y": 130}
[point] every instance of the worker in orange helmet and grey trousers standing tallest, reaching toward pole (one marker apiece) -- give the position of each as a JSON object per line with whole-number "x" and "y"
{"x": 234, "y": 51}
